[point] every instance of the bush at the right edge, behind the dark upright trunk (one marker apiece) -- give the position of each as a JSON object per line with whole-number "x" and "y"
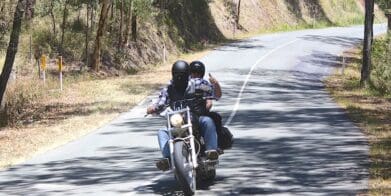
{"x": 381, "y": 70}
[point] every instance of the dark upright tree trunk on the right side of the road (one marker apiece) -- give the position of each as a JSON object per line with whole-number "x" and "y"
{"x": 368, "y": 34}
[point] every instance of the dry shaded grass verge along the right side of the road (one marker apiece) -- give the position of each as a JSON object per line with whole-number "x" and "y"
{"x": 372, "y": 112}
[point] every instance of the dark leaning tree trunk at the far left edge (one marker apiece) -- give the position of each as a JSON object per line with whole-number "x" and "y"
{"x": 12, "y": 47}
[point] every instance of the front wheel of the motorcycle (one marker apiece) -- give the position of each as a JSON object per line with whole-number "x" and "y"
{"x": 184, "y": 171}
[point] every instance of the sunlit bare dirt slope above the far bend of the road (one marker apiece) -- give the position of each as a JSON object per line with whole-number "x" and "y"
{"x": 259, "y": 15}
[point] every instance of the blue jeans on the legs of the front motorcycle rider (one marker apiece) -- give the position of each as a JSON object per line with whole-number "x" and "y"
{"x": 208, "y": 132}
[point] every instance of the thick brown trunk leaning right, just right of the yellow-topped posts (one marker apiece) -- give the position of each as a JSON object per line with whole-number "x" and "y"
{"x": 95, "y": 61}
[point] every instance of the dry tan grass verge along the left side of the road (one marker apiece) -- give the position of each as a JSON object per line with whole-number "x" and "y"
{"x": 85, "y": 105}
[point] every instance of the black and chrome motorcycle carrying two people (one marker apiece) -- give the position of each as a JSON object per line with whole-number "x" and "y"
{"x": 187, "y": 159}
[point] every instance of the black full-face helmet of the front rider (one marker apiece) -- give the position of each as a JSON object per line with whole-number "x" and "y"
{"x": 180, "y": 74}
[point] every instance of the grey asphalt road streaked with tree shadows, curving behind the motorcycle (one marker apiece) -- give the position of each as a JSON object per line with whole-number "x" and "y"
{"x": 291, "y": 137}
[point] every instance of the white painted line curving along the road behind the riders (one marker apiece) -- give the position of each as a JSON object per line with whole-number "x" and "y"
{"x": 236, "y": 107}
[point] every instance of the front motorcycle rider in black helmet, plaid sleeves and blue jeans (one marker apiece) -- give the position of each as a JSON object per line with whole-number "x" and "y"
{"x": 182, "y": 87}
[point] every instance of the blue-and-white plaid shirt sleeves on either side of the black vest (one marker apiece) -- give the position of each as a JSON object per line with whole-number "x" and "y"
{"x": 194, "y": 84}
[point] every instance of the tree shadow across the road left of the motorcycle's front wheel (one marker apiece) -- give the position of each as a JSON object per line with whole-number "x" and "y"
{"x": 116, "y": 166}
